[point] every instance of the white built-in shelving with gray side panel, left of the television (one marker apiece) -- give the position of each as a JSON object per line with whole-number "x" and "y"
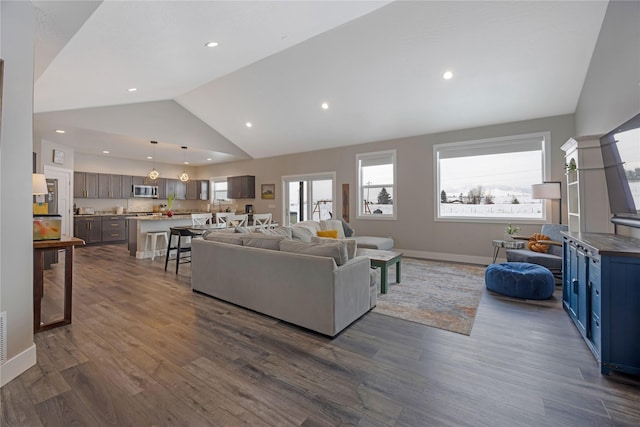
{"x": 587, "y": 199}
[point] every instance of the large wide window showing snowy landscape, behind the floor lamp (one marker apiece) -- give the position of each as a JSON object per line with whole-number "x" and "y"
{"x": 491, "y": 178}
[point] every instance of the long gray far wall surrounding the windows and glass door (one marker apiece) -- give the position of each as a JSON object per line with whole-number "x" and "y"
{"x": 415, "y": 231}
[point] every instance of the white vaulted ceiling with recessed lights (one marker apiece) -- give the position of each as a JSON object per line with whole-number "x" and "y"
{"x": 377, "y": 64}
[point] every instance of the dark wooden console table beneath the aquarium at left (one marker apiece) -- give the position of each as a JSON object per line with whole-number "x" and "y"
{"x": 39, "y": 248}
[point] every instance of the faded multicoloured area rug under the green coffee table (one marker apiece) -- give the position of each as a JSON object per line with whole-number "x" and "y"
{"x": 440, "y": 294}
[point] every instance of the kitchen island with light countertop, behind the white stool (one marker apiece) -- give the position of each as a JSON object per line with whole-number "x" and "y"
{"x": 139, "y": 226}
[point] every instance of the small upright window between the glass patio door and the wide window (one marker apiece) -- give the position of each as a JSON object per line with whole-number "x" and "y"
{"x": 376, "y": 185}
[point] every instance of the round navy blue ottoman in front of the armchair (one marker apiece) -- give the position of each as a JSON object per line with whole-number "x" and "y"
{"x": 520, "y": 280}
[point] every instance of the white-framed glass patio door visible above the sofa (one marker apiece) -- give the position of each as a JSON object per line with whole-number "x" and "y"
{"x": 309, "y": 197}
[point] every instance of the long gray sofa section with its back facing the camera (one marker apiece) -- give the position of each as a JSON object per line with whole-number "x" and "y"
{"x": 325, "y": 292}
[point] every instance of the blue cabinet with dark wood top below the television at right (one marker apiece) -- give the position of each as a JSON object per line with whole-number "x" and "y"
{"x": 601, "y": 294}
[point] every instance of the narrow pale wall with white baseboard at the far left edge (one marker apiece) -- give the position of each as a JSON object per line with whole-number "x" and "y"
{"x": 16, "y": 239}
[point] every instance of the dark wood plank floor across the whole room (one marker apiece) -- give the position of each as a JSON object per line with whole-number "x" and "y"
{"x": 144, "y": 350}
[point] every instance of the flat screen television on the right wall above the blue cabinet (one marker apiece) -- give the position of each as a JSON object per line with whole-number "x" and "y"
{"x": 621, "y": 159}
